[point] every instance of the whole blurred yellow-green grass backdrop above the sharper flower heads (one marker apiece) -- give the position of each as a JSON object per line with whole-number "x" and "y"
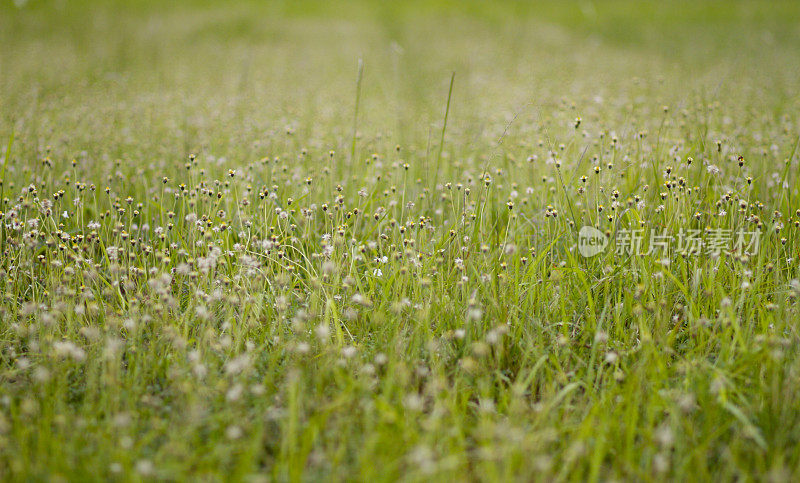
{"x": 153, "y": 77}
